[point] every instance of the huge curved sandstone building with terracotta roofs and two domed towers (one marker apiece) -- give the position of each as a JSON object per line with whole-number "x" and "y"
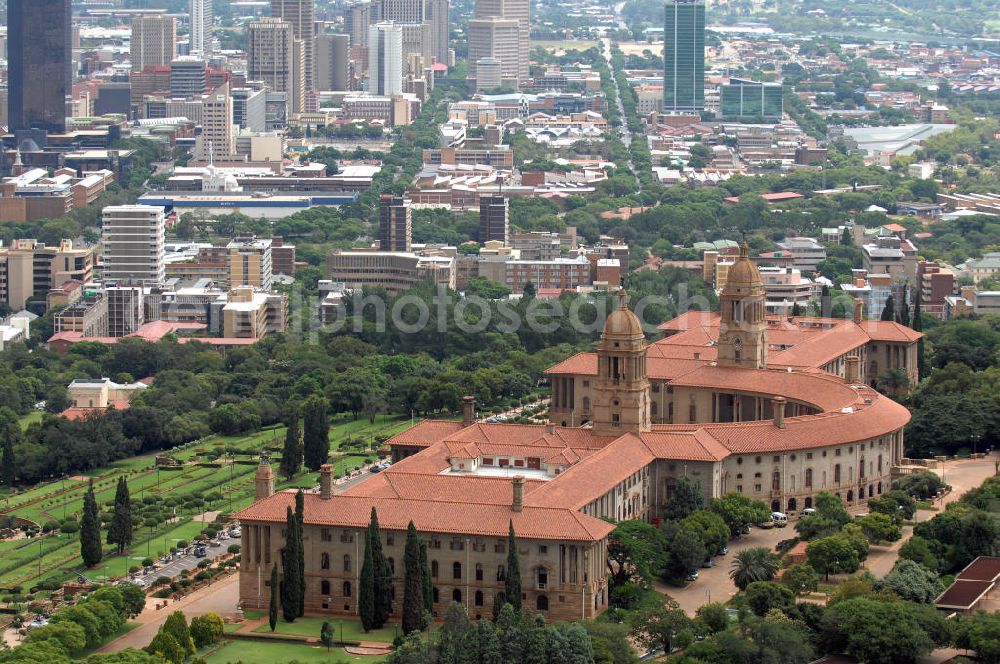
{"x": 777, "y": 410}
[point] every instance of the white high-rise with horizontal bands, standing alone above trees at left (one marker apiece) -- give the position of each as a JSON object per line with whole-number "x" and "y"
{"x": 132, "y": 240}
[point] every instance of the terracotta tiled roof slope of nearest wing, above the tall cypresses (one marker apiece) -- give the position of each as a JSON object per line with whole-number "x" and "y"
{"x": 348, "y": 511}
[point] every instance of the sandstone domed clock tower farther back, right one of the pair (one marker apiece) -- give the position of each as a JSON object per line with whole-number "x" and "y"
{"x": 743, "y": 328}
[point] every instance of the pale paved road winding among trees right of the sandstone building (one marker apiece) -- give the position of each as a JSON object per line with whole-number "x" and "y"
{"x": 714, "y": 585}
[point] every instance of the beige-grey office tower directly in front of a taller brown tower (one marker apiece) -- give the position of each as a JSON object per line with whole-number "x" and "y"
{"x": 277, "y": 58}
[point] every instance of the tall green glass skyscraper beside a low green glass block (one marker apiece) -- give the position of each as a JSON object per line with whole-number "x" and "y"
{"x": 684, "y": 56}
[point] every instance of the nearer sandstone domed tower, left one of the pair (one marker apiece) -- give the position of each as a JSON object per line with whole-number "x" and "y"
{"x": 621, "y": 391}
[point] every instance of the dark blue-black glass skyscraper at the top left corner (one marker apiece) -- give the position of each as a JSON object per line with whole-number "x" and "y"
{"x": 39, "y": 57}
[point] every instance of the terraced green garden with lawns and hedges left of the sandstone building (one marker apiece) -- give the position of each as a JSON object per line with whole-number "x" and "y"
{"x": 216, "y": 474}
